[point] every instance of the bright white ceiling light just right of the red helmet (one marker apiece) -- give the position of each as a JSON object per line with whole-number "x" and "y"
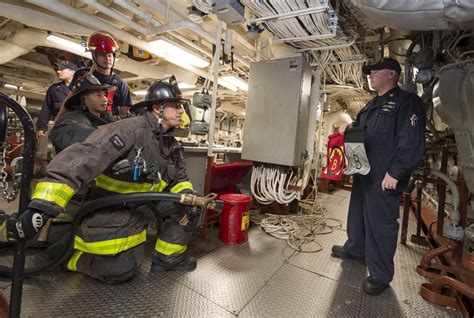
{"x": 175, "y": 53}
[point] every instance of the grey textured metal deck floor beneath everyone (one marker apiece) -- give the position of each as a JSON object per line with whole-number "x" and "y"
{"x": 261, "y": 278}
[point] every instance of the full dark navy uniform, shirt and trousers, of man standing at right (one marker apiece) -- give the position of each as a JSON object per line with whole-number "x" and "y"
{"x": 394, "y": 142}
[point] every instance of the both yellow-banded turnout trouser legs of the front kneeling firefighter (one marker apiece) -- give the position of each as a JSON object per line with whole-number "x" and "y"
{"x": 109, "y": 243}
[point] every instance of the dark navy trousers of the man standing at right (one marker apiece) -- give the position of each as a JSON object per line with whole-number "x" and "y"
{"x": 372, "y": 226}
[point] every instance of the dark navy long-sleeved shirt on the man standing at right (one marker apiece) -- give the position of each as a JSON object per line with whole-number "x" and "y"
{"x": 395, "y": 132}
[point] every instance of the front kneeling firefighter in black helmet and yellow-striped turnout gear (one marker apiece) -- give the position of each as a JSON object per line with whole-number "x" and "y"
{"x": 138, "y": 154}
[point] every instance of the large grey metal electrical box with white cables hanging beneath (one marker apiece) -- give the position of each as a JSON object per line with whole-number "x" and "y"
{"x": 277, "y": 118}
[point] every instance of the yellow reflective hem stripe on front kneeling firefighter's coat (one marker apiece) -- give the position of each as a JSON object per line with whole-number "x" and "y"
{"x": 118, "y": 186}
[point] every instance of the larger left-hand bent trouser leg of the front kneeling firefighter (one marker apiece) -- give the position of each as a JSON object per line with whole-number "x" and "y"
{"x": 109, "y": 245}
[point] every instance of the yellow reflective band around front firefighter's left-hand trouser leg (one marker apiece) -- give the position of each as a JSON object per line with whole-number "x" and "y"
{"x": 110, "y": 247}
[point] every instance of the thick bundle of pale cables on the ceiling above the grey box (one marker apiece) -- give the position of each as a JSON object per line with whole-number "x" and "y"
{"x": 338, "y": 62}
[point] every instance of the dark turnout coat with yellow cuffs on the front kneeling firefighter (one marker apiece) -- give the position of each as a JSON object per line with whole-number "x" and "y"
{"x": 96, "y": 157}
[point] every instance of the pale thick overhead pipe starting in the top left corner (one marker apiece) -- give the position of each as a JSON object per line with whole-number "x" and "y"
{"x": 40, "y": 20}
